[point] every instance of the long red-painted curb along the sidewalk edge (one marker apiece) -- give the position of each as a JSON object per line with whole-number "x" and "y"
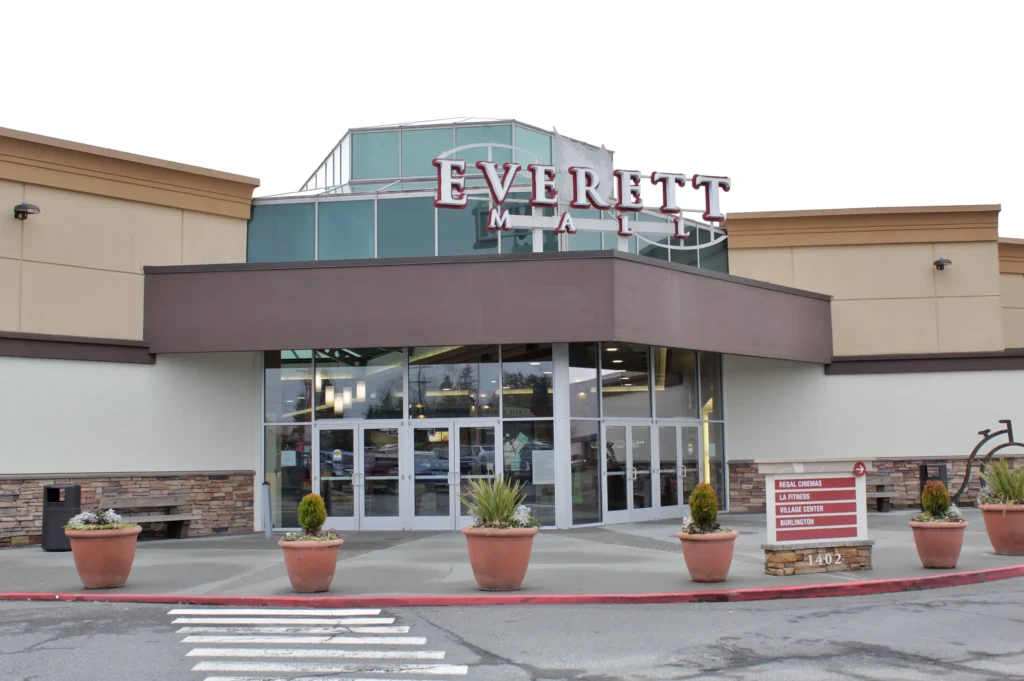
{"x": 767, "y": 593}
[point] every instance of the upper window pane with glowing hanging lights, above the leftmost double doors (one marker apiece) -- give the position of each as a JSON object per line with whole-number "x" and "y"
{"x": 360, "y": 384}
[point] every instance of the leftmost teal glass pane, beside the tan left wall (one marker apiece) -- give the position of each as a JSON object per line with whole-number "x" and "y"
{"x": 281, "y": 233}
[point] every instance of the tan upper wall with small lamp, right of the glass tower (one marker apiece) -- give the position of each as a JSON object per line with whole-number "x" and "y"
{"x": 889, "y": 300}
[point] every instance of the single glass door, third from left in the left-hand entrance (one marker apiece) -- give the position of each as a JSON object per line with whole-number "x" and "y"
{"x": 434, "y": 480}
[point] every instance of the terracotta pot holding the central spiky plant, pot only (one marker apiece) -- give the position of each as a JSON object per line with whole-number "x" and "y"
{"x": 500, "y": 558}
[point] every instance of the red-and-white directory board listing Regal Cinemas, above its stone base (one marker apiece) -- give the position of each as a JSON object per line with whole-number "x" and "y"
{"x": 814, "y": 507}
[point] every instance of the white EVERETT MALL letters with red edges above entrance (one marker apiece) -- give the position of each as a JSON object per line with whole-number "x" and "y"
{"x": 452, "y": 192}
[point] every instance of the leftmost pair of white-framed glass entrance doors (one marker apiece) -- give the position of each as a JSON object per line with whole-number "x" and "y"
{"x": 358, "y": 477}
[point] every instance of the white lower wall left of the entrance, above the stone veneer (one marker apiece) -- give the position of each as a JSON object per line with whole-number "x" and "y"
{"x": 185, "y": 413}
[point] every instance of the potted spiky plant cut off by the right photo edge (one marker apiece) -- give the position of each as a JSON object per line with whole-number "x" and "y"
{"x": 1003, "y": 507}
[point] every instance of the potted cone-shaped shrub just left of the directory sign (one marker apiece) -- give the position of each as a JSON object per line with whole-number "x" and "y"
{"x": 707, "y": 546}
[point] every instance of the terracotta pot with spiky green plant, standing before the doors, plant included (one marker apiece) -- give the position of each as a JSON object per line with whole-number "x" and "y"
{"x": 501, "y": 538}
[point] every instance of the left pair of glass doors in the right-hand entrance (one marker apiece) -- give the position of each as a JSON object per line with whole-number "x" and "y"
{"x": 630, "y": 474}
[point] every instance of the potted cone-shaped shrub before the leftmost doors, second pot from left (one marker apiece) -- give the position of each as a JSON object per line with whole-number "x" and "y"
{"x": 311, "y": 557}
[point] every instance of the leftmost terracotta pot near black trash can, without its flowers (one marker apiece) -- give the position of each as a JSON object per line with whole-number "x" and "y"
{"x": 104, "y": 558}
